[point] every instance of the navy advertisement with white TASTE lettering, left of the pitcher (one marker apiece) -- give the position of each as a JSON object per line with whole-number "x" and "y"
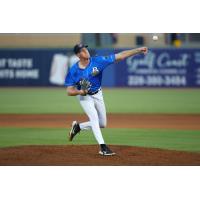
{"x": 34, "y": 67}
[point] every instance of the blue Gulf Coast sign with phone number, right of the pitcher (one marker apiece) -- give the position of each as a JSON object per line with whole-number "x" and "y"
{"x": 161, "y": 68}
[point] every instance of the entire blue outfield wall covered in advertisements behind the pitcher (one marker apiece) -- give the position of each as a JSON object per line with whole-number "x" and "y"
{"x": 47, "y": 67}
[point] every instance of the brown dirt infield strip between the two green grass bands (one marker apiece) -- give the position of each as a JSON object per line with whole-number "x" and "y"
{"x": 167, "y": 121}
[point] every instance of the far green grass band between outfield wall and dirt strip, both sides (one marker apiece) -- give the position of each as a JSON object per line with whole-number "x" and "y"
{"x": 55, "y": 100}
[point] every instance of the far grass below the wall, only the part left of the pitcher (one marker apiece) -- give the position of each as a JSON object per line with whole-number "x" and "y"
{"x": 35, "y": 100}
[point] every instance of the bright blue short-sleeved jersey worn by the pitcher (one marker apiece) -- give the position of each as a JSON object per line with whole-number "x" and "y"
{"x": 92, "y": 73}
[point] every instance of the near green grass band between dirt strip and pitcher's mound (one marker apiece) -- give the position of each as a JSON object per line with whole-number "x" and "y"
{"x": 165, "y": 139}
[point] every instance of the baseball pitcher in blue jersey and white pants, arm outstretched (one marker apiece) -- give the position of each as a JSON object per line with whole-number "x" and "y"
{"x": 84, "y": 81}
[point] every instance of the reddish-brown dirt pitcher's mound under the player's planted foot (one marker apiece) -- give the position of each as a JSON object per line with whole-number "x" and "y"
{"x": 83, "y": 155}
